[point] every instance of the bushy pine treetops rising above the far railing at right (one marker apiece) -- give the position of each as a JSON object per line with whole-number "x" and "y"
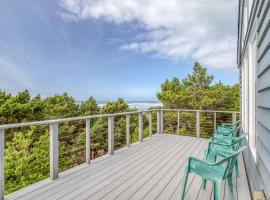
{"x": 197, "y": 92}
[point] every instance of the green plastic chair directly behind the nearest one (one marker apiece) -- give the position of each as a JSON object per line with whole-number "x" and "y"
{"x": 224, "y": 147}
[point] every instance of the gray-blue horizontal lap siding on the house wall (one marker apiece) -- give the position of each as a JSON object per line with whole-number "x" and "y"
{"x": 259, "y": 170}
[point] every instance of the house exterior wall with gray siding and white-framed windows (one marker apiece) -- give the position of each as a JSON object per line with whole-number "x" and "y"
{"x": 254, "y": 65}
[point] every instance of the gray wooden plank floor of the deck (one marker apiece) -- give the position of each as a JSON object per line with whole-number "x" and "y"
{"x": 153, "y": 169}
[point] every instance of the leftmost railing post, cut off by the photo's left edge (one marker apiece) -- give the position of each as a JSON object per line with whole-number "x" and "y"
{"x": 2, "y": 166}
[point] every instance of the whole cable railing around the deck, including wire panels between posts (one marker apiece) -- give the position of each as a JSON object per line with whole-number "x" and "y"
{"x": 72, "y": 146}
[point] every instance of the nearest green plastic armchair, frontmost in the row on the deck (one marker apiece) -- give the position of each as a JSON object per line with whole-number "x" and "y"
{"x": 215, "y": 172}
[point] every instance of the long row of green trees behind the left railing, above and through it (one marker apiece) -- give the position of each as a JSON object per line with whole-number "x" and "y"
{"x": 27, "y": 149}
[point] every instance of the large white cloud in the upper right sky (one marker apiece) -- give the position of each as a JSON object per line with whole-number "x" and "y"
{"x": 203, "y": 30}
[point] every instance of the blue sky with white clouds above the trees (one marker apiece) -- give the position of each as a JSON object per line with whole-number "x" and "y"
{"x": 109, "y": 49}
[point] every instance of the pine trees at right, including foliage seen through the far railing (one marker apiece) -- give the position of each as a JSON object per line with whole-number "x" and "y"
{"x": 197, "y": 91}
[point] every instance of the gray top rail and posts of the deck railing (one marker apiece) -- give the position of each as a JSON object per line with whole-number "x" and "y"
{"x": 161, "y": 127}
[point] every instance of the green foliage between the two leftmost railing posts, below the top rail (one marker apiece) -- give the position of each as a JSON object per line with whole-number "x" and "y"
{"x": 26, "y": 159}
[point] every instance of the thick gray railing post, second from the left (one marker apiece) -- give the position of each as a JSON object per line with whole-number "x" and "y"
{"x": 54, "y": 143}
